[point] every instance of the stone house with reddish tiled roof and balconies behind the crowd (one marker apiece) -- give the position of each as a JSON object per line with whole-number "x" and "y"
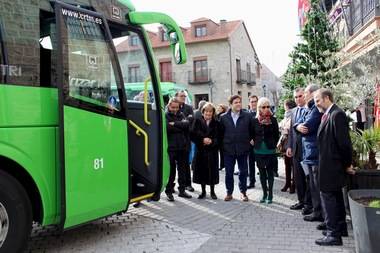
{"x": 221, "y": 61}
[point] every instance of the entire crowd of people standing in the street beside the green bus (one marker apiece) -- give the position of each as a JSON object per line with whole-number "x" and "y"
{"x": 313, "y": 136}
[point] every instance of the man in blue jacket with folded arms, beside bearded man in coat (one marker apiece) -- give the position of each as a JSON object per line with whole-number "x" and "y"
{"x": 307, "y": 126}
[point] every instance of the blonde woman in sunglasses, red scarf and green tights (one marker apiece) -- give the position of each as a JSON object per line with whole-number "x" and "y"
{"x": 266, "y": 135}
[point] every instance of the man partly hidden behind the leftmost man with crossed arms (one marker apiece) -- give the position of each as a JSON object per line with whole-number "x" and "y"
{"x": 187, "y": 110}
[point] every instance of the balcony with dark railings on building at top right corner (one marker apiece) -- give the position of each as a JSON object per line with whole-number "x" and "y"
{"x": 359, "y": 12}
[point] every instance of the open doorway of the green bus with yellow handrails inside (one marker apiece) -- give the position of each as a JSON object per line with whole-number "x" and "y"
{"x": 144, "y": 113}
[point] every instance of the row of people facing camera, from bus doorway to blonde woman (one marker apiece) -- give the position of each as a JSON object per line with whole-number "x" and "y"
{"x": 229, "y": 134}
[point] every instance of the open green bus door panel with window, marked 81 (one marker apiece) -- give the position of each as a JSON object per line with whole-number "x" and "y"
{"x": 93, "y": 127}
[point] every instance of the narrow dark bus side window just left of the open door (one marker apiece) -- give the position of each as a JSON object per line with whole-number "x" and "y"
{"x": 48, "y": 50}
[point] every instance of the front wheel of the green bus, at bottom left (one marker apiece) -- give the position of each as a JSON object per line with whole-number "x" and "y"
{"x": 15, "y": 215}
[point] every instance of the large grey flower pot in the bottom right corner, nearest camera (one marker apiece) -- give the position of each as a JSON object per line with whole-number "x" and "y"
{"x": 365, "y": 221}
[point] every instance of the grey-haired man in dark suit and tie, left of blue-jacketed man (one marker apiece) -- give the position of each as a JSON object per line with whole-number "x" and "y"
{"x": 294, "y": 149}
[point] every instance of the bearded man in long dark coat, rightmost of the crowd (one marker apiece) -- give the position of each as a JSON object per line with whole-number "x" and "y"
{"x": 335, "y": 159}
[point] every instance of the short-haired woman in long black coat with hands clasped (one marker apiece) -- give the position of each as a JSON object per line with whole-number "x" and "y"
{"x": 204, "y": 133}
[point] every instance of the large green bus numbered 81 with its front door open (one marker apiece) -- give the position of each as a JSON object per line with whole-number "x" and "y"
{"x": 64, "y": 134}
